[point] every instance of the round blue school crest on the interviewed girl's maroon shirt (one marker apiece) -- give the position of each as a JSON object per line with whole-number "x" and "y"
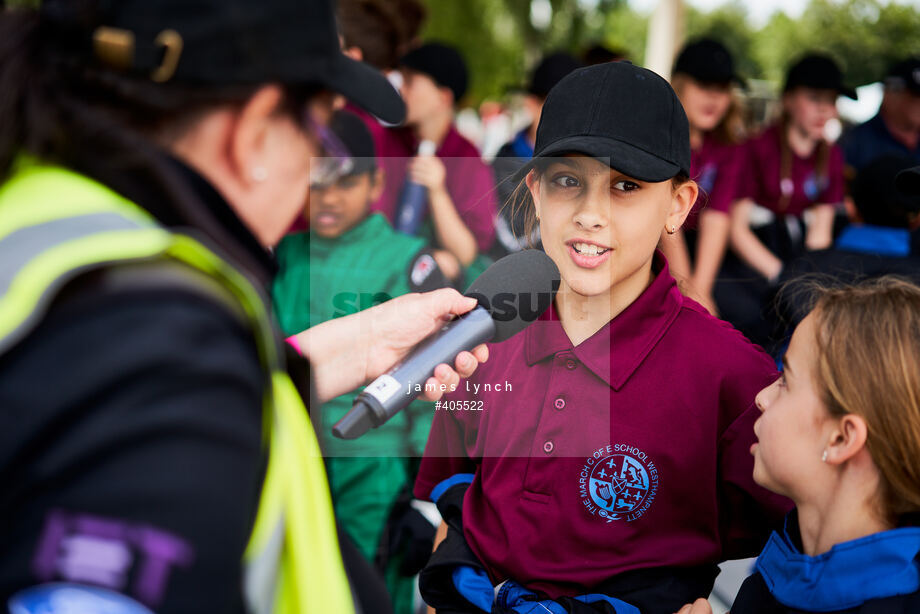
{"x": 618, "y": 482}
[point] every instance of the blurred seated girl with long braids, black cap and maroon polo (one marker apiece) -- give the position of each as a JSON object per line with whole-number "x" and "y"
{"x": 791, "y": 169}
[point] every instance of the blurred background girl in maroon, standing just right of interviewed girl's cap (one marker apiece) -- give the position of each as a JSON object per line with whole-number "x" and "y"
{"x": 703, "y": 76}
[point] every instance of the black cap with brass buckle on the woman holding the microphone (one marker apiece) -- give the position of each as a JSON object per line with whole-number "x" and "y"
{"x": 212, "y": 42}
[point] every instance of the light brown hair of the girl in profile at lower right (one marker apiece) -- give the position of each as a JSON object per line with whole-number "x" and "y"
{"x": 868, "y": 339}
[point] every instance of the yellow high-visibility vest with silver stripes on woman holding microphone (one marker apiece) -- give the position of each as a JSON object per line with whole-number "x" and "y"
{"x": 55, "y": 225}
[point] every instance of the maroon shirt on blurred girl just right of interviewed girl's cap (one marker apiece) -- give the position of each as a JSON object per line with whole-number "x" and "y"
{"x": 716, "y": 167}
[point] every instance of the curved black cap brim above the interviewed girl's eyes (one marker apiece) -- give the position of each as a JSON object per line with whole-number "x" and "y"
{"x": 618, "y": 155}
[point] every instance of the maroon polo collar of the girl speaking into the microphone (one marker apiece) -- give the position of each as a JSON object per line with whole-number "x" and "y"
{"x": 633, "y": 333}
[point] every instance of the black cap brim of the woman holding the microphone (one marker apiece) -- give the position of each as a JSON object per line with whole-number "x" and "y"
{"x": 368, "y": 88}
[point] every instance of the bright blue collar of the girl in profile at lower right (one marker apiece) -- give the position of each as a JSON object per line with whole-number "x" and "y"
{"x": 849, "y": 574}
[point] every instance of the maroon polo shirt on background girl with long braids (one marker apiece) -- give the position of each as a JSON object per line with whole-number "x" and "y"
{"x": 761, "y": 177}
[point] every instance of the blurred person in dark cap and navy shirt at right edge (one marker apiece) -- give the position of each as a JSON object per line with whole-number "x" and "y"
{"x": 896, "y": 127}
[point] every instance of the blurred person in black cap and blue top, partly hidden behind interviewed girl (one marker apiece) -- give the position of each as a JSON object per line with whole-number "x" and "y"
{"x": 509, "y": 230}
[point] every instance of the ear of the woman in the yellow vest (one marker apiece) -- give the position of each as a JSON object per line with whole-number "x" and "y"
{"x": 250, "y": 133}
